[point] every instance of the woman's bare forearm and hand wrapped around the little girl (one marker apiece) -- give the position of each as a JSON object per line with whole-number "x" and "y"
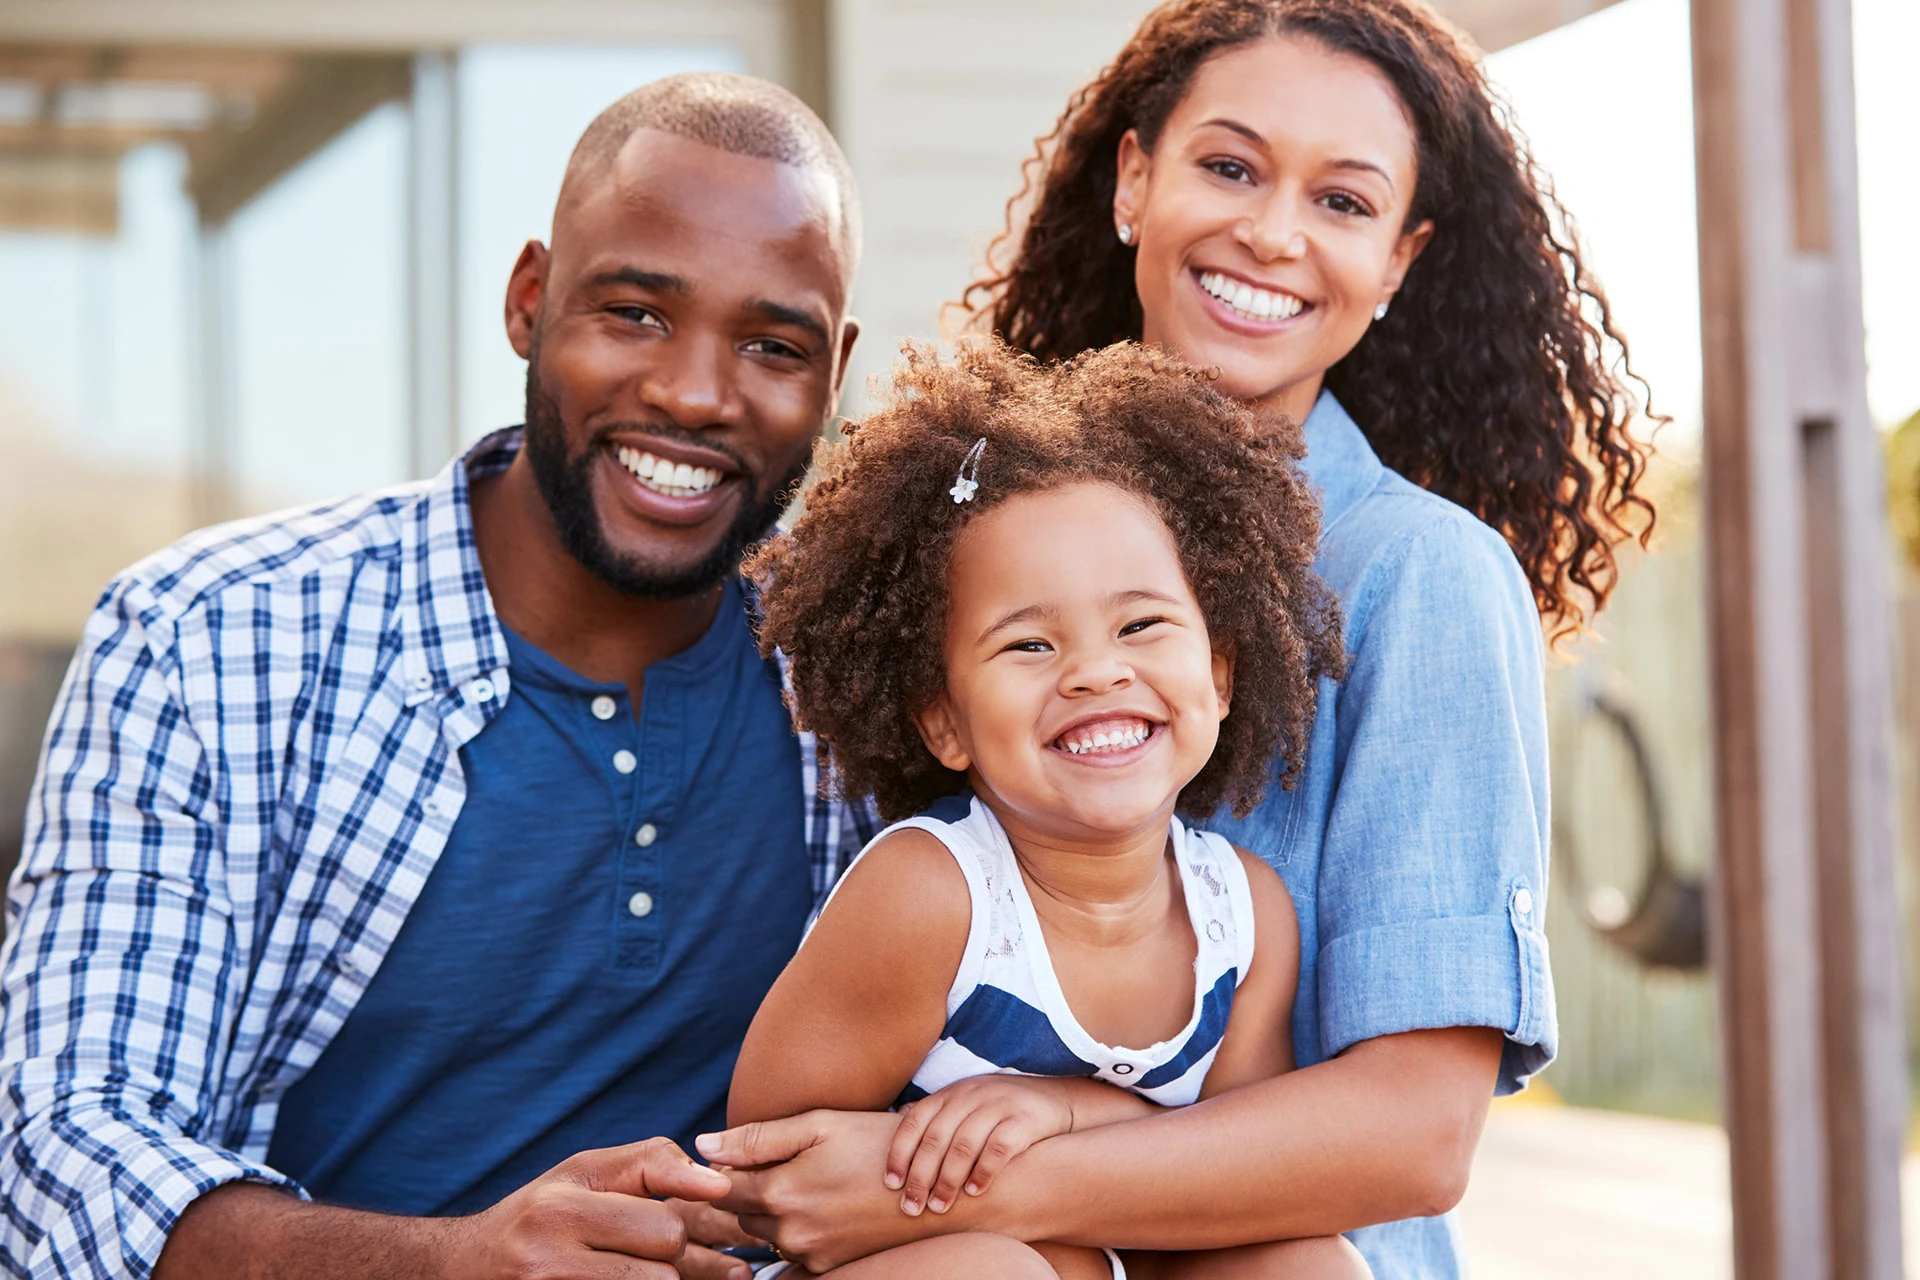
{"x": 1385, "y": 1131}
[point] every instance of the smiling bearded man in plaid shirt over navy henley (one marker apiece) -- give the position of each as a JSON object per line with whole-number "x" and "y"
{"x": 410, "y": 849}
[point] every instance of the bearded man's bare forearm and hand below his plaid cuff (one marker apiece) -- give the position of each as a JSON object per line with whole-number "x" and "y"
{"x": 590, "y": 1218}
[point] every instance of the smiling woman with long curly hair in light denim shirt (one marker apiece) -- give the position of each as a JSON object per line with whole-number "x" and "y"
{"x": 1322, "y": 201}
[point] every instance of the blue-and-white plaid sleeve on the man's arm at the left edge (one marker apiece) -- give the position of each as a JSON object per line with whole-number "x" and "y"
{"x": 120, "y": 974}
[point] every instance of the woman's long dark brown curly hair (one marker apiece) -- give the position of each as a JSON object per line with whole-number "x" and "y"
{"x": 1497, "y": 381}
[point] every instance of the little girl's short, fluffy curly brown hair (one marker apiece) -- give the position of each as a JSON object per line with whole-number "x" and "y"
{"x": 855, "y": 594}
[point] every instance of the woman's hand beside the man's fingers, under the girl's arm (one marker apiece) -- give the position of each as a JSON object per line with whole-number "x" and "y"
{"x": 813, "y": 1185}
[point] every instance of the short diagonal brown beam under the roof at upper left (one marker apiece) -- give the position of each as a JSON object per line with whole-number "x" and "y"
{"x": 320, "y": 101}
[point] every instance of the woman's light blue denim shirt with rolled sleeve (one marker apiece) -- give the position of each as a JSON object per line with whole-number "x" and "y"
{"x": 1416, "y": 845}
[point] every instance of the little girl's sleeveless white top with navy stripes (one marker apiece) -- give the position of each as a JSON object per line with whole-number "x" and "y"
{"x": 1007, "y": 1014}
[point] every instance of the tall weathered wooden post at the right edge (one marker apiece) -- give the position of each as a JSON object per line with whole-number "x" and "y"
{"x": 1802, "y": 652}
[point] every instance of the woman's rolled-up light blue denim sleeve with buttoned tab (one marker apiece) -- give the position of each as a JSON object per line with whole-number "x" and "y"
{"x": 1435, "y": 859}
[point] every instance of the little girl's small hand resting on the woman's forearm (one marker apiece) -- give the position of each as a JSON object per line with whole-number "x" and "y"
{"x": 965, "y": 1135}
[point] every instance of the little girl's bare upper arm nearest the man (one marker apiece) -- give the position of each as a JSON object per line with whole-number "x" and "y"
{"x": 865, "y": 999}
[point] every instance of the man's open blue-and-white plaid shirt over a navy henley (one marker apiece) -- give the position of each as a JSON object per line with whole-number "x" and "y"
{"x": 247, "y": 782}
